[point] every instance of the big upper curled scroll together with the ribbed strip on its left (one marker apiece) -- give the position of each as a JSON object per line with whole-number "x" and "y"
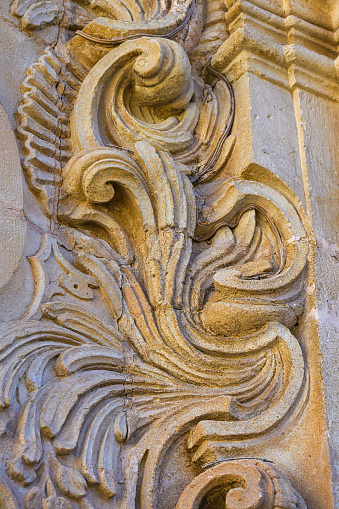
{"x": 187, "y": 119}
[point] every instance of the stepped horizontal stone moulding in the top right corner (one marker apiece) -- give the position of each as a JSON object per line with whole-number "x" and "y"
{"x": 290, "y": 47}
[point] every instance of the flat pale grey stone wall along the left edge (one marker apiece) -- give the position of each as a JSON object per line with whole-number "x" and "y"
{"x": 18, "y": 50}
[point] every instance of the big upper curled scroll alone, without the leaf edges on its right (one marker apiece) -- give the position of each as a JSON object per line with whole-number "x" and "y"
{"x": 140, "y": 86}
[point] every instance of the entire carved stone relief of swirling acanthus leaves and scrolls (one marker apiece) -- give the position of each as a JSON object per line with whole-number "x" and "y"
{"x": 174, "y": 286}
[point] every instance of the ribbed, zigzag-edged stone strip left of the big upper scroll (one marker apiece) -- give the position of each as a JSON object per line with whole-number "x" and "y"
{"x": 48, "y": 92}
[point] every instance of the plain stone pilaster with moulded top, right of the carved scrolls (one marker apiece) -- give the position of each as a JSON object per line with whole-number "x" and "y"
{"x": 282, "y": 59}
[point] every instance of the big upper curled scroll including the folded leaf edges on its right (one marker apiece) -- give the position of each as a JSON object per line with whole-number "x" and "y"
{"x": 146, "y": 92}
